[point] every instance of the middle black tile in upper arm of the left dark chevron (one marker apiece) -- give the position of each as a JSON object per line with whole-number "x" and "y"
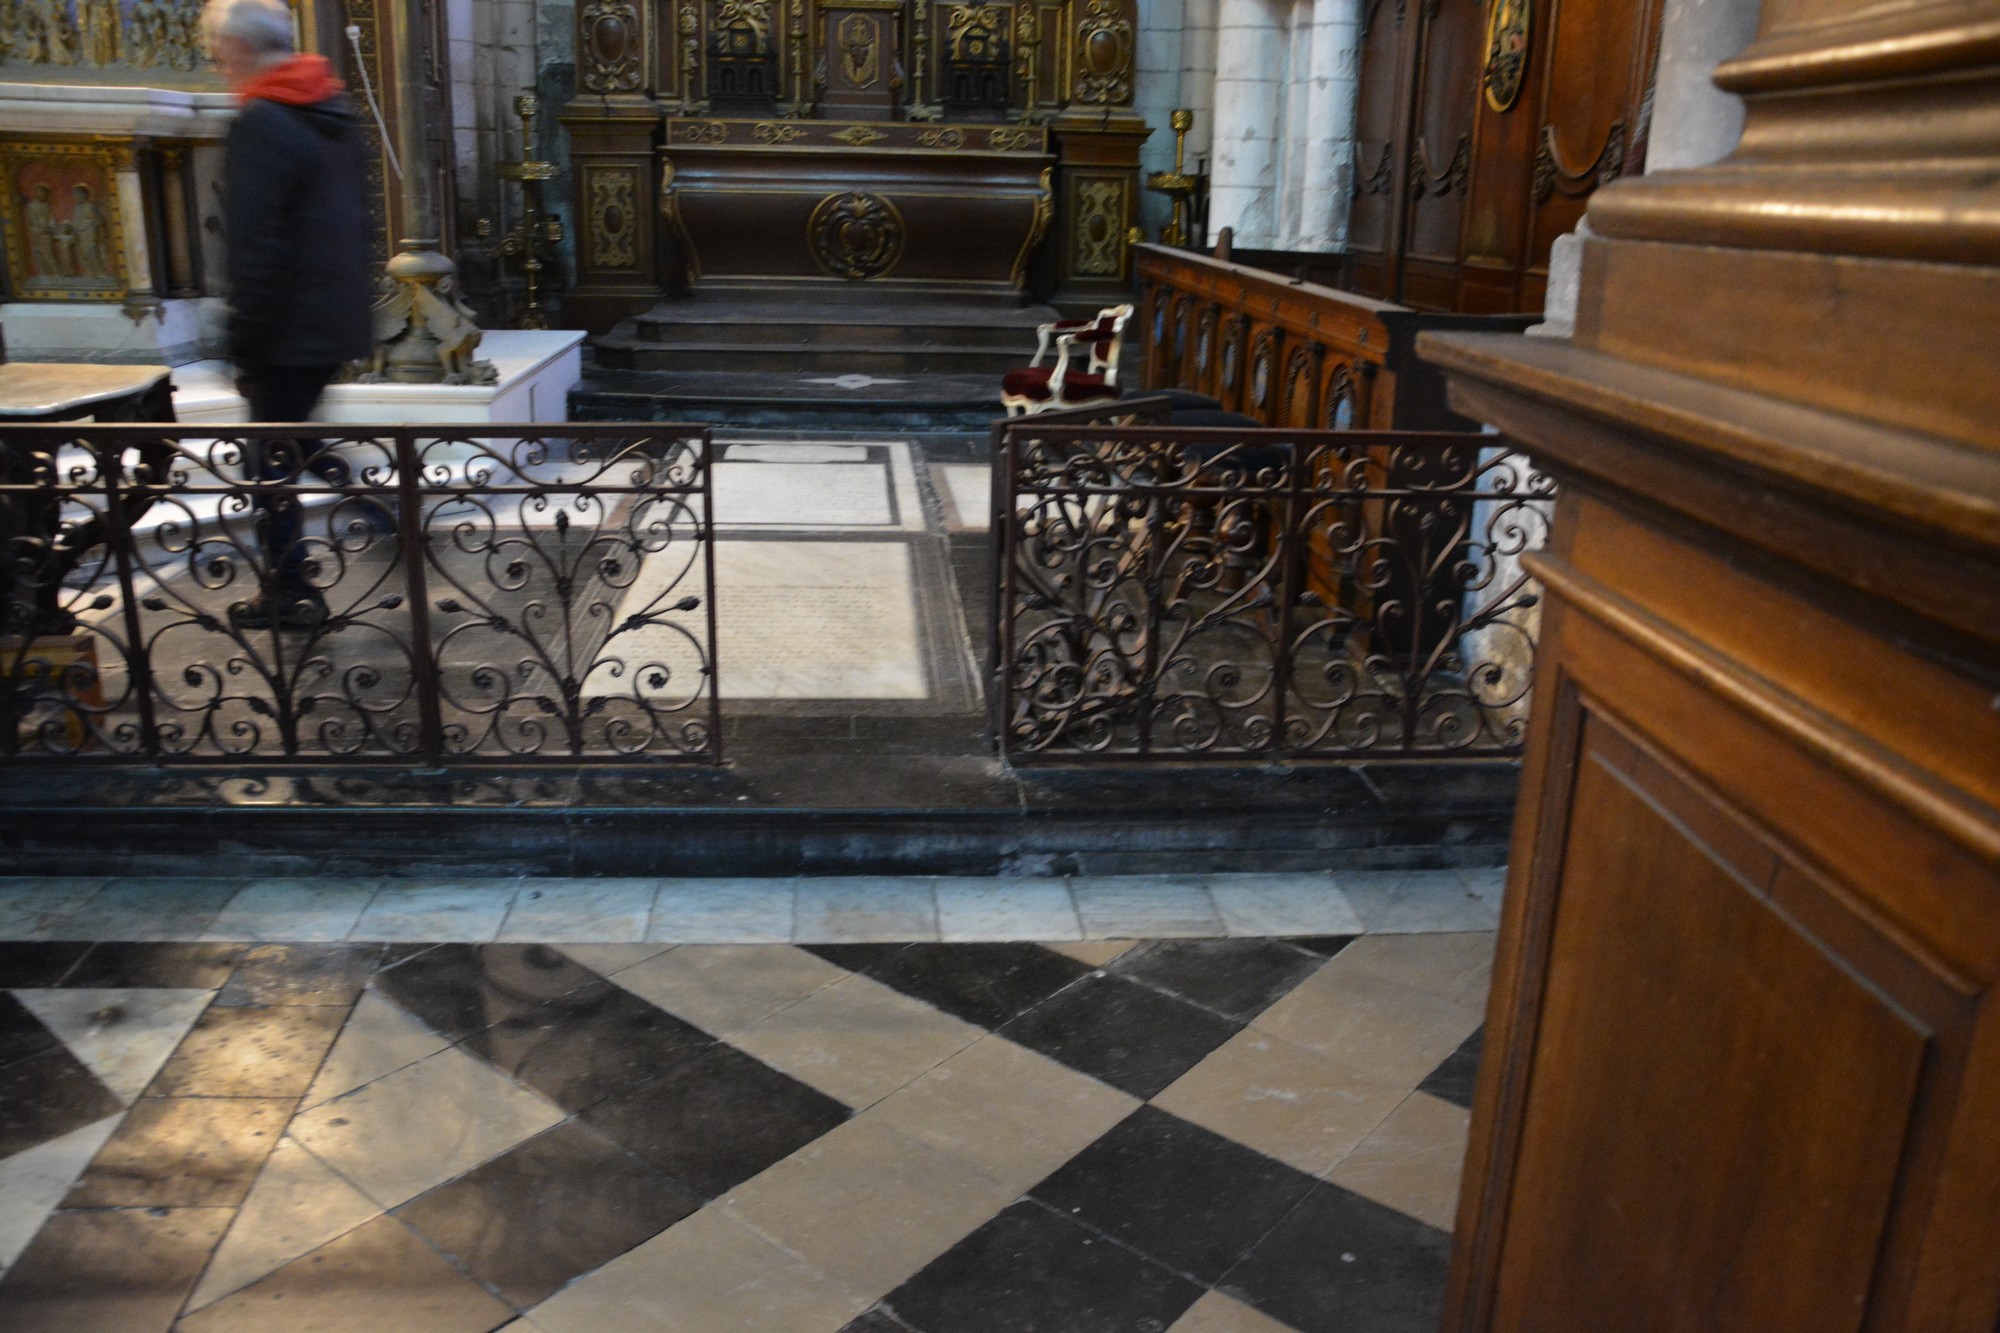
{"x": 587, "y": 1046}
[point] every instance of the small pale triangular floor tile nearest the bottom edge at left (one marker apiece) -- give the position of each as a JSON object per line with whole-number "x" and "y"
{"x": 295, "y": 1206}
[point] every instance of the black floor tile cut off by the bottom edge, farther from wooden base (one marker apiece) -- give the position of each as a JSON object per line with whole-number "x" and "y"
{"x": 1035, "y": 1272}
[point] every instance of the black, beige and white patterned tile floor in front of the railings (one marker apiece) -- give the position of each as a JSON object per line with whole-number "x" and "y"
{"x": 869, "y": 1136}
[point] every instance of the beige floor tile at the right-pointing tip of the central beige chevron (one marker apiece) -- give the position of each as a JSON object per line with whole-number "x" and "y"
{"x": 1011, "y": 1114}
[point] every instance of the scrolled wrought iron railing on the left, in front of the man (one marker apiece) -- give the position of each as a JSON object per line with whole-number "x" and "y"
{"x": 427, "y": 595}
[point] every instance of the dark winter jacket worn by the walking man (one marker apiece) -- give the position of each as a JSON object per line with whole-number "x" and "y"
{"x": 297, "y": 235}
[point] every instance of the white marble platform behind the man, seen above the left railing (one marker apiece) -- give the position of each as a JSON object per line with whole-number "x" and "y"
{"x": 537, "y": 371}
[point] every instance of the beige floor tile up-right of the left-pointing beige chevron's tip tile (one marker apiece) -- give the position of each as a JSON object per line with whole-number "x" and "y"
{"x": 1367, "y": 1022}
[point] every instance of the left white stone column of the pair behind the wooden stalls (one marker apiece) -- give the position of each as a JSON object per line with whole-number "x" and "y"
{"x": 1249, "y": 83}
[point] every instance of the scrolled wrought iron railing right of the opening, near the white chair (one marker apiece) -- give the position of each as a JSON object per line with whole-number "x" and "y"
{"x": 1261, "y": 595}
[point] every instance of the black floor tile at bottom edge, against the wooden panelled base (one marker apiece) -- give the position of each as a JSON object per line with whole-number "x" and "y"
{"x": 1343, "y": 1264}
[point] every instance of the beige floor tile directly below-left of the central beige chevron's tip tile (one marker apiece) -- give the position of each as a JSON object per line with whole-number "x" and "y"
{"x": 869, "y": 1206}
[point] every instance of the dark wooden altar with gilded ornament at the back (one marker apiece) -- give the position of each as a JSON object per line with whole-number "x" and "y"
{"x": 887, "y": 149}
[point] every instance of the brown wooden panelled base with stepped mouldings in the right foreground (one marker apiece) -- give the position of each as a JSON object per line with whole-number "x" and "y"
{"x": 1743, "y": 1064}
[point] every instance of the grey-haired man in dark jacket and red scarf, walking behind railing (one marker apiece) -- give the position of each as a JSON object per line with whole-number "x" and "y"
{"x": 301, "y": 277}
